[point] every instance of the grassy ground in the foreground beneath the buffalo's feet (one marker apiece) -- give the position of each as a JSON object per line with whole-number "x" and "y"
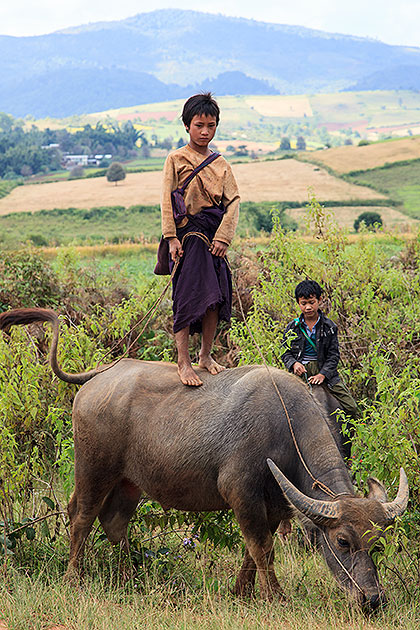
{"x": 194, "y": 594}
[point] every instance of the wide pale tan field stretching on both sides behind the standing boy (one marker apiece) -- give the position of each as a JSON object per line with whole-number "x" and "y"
{"x": 282, "y": 180}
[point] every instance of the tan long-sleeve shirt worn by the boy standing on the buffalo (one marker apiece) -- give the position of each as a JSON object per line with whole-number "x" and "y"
{"x": 213, "y": 185}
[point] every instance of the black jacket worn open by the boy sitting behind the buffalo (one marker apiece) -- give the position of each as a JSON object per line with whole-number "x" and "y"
{"x": 326, "y": 344}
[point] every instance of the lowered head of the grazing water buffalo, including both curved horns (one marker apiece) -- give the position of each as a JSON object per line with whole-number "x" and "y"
{"x": 345, "y": 532}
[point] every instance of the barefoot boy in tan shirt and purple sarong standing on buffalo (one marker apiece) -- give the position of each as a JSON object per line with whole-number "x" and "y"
{"x": 202, "y": 288}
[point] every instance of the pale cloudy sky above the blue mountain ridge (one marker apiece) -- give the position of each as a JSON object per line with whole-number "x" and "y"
{"x": 391, "y": 21}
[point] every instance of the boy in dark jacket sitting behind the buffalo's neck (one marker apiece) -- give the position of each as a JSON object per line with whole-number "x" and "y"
{"x": 313, "y": 353}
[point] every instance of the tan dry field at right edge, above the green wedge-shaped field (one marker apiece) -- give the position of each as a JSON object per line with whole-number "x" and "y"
{"x": 353, "y": 158}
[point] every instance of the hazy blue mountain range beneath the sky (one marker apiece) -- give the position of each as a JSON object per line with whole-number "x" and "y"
{"x": 164, "y": 54}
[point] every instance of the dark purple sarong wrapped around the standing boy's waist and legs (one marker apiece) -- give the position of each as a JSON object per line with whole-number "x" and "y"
{"x": 202, "y": 281}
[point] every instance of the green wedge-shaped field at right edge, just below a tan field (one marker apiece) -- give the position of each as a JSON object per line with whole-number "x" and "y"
{"x": 400, "y": 181}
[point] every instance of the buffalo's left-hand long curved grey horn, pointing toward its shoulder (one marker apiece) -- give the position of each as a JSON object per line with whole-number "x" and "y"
{"x": 319, "y": 512}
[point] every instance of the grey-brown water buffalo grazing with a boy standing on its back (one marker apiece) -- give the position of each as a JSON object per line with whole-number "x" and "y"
{"x": 137, "y": 430}
